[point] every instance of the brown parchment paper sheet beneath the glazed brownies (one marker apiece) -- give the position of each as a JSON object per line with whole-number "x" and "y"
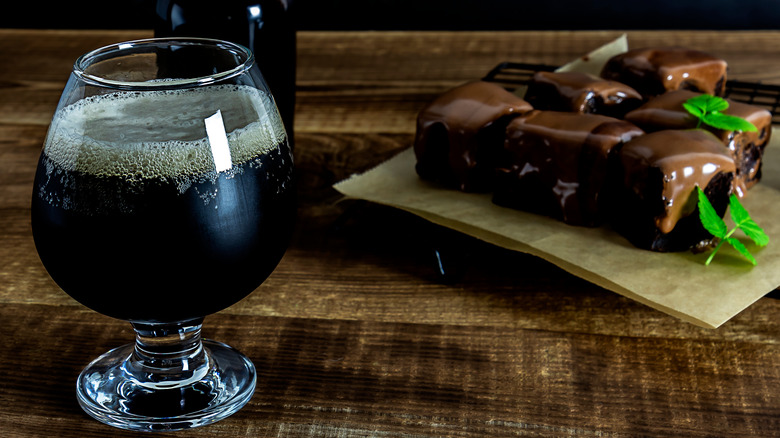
{"x": 678, "y": 284}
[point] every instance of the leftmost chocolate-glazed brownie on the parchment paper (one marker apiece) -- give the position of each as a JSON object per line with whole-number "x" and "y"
{"x": 461, "y": 132}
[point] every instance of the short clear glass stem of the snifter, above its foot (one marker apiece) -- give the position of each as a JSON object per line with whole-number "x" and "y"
{"x": 168, "y": 356}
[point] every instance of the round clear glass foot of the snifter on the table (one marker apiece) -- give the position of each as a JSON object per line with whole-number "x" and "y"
{"x": 112, "y": 391}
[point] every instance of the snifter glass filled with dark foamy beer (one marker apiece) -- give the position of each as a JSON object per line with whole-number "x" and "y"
{"x": 164, "y": 193}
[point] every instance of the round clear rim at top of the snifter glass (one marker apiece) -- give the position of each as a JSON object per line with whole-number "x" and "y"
{"x": 87, "y": 59}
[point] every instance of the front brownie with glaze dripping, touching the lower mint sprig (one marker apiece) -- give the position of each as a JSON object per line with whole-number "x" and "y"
{"x": 655, "y": 178}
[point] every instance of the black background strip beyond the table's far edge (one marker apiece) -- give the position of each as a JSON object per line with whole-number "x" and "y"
{"x": 429, "y": 14}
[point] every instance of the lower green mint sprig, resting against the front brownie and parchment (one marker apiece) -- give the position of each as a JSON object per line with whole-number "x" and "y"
{"x": 717, "y": 227}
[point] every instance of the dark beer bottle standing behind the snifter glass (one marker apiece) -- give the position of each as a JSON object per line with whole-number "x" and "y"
{"x": 266, "y": 27}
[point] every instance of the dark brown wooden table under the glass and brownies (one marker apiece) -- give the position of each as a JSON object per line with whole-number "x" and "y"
{"x": 355, "y": 334}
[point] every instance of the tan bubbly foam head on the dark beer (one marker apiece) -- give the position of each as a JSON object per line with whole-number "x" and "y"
{"x": 162, "y": 133}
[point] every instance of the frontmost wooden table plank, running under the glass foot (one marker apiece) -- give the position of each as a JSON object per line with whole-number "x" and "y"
{"x": 319, "y": 377}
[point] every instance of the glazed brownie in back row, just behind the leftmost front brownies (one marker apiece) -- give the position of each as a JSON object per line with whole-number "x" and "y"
{"x": 581, "y": 93}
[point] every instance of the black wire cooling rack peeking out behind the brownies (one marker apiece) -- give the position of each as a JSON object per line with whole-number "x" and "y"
{"x": 512, "y": 75}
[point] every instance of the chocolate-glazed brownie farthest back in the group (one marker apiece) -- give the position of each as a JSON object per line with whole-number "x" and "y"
{"x": 653, "y": 71}
